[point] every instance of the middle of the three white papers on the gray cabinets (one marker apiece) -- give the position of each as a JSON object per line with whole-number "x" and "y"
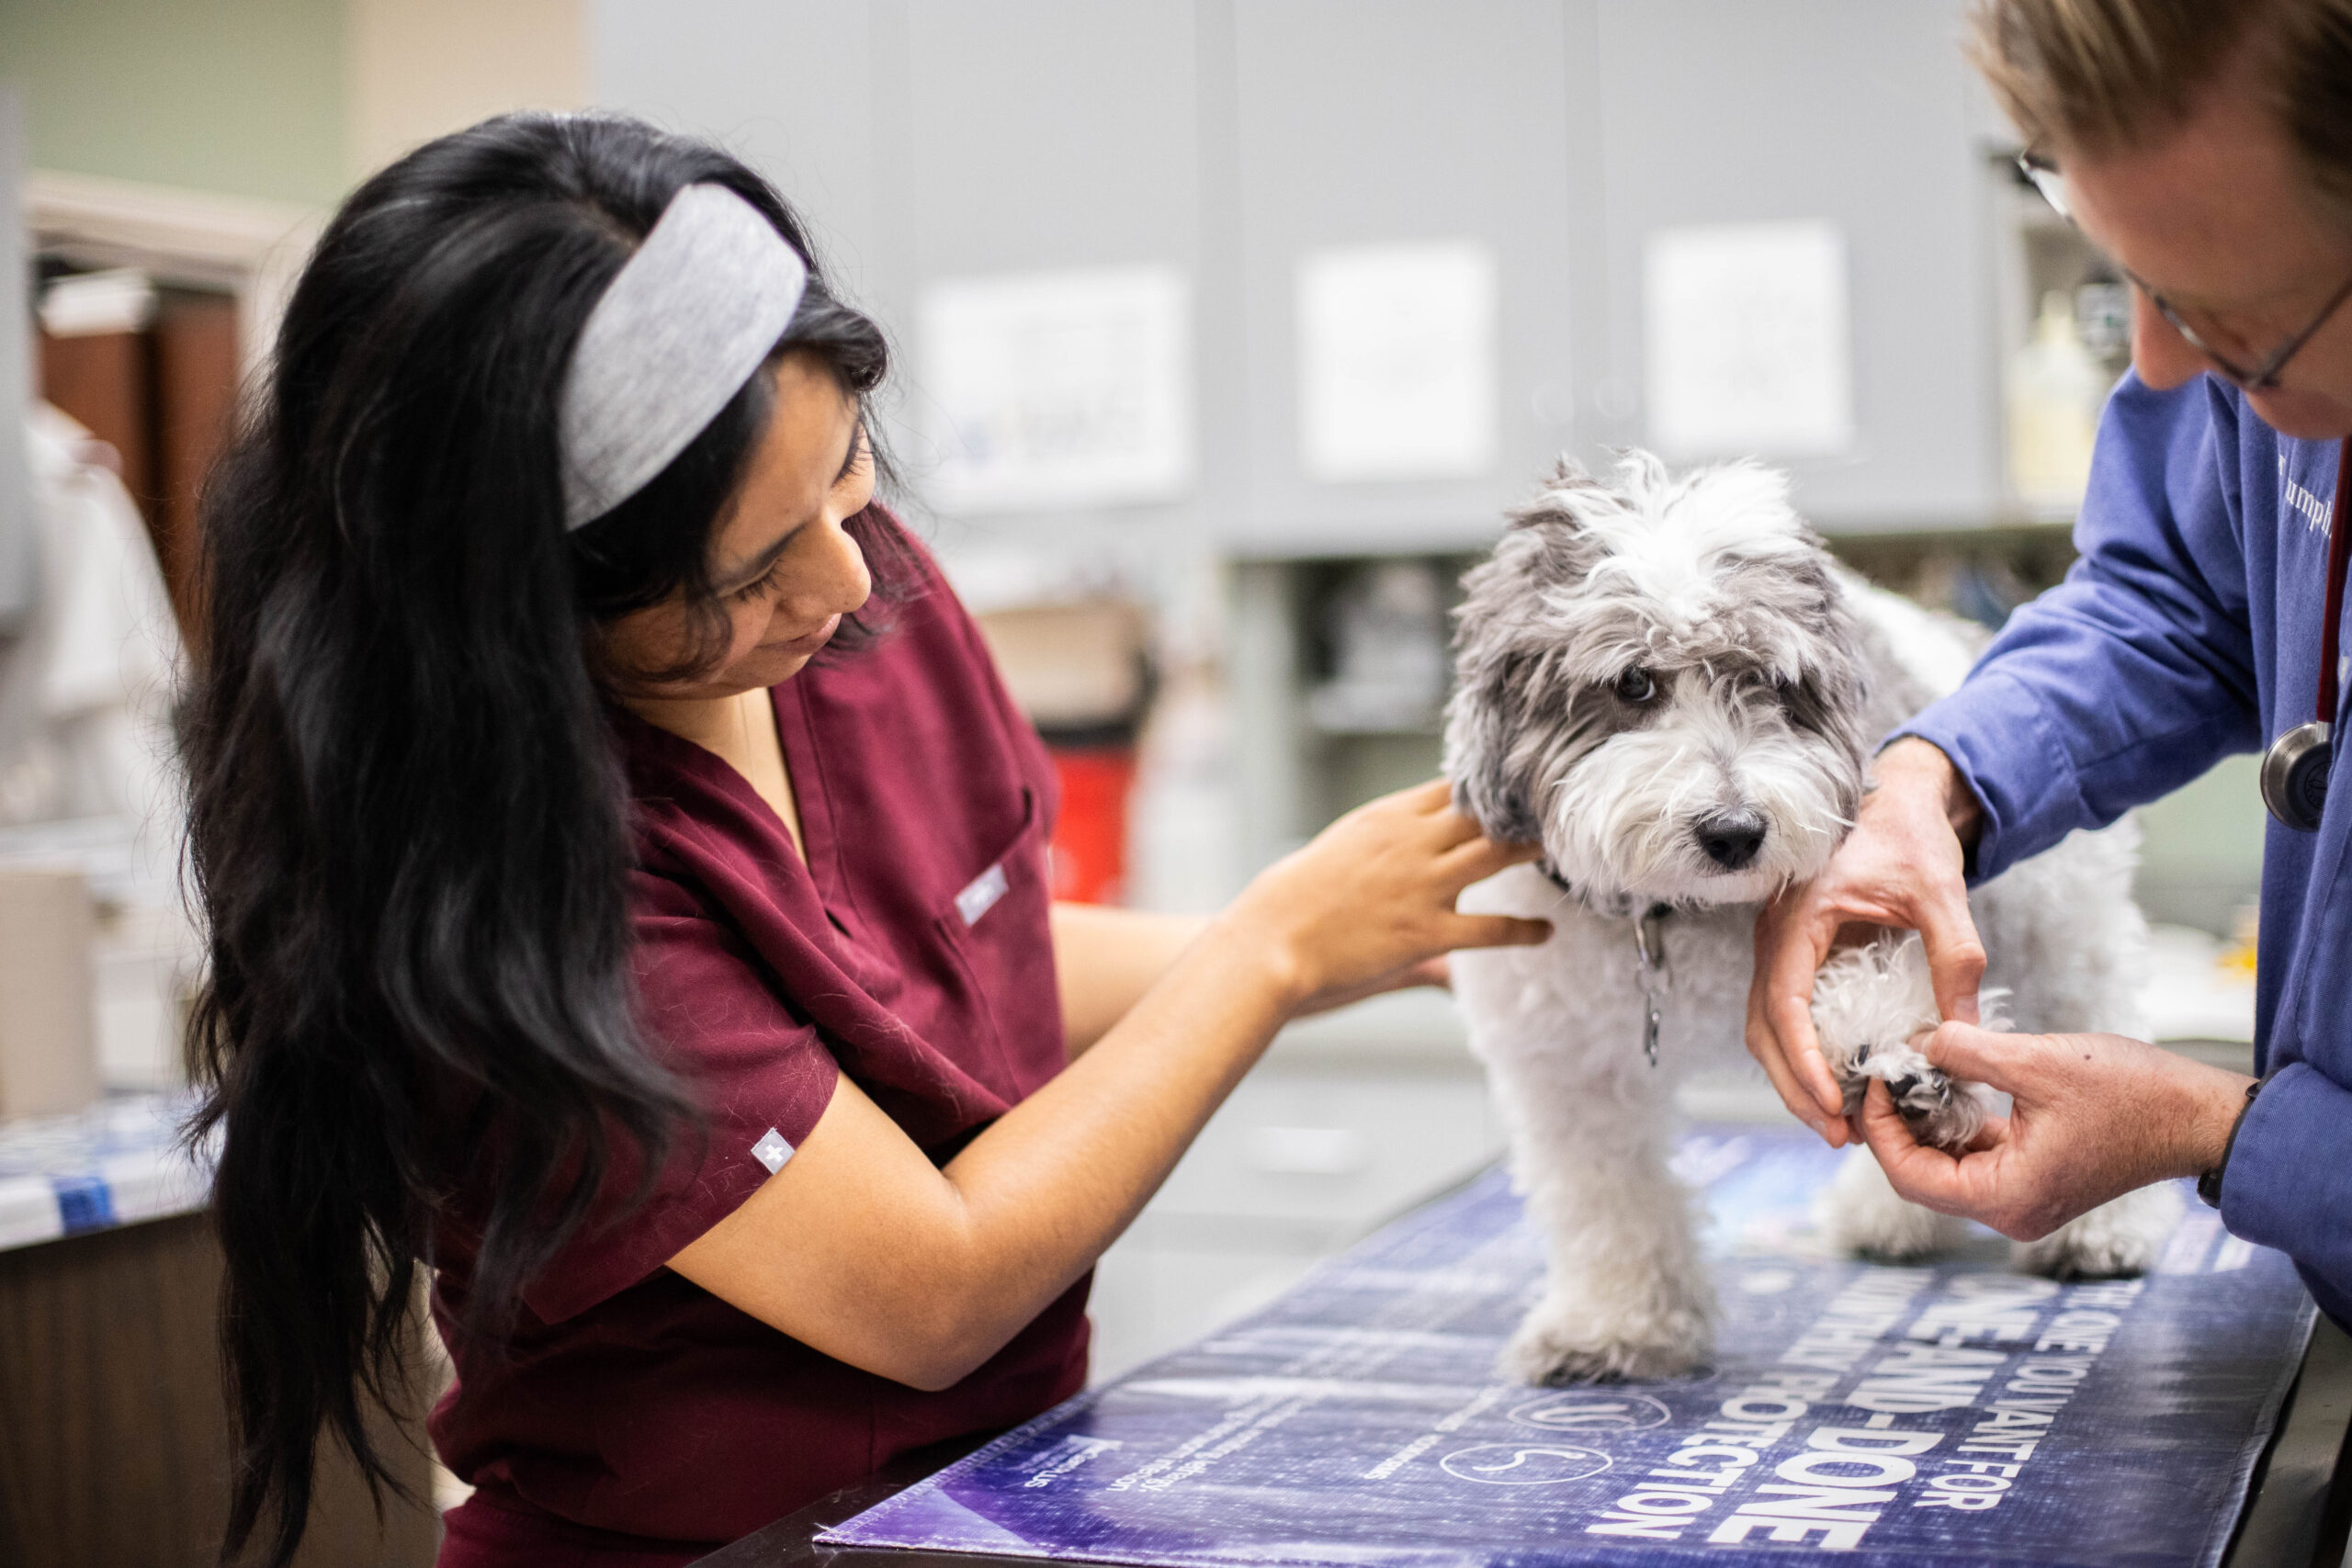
{"x": 1398, "y": 363}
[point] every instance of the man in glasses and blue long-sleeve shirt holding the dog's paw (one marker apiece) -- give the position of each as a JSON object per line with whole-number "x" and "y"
{"x": 2212, "y": 159}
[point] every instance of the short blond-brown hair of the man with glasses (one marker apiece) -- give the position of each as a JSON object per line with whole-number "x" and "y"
{"x": 2106, "y": 74}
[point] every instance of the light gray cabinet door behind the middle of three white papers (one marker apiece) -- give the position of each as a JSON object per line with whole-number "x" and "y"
{"x": 1398, "y": 121}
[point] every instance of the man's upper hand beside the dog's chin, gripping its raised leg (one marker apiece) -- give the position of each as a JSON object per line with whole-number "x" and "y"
{"x": 1899, "y": 869}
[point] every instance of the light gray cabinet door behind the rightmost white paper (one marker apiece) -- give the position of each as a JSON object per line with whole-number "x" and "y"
{"x": 1855, "y": 112}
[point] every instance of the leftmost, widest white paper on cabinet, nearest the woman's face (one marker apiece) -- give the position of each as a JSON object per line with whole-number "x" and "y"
{"x": 1060, "y": 389}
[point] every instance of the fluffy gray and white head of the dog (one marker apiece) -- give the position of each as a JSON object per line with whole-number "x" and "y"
{"x": 1659, "y": 678}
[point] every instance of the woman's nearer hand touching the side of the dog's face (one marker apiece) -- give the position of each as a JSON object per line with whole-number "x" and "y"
{"x": 1370, "y": 902}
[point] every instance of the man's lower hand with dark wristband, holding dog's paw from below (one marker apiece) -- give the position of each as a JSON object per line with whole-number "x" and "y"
{"x": 2094, "y": 1118}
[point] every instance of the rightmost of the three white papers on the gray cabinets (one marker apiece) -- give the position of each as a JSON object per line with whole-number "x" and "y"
{"x": 1749, "y": 342}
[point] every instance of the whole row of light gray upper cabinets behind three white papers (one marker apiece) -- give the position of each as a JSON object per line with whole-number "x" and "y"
{"x": 1234, "y": 138}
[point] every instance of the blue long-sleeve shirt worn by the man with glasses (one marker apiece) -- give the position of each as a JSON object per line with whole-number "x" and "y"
{"x": 2186, "y": 631}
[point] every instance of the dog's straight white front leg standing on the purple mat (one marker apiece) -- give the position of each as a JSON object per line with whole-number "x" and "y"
{"x": 1626, "y": 1292}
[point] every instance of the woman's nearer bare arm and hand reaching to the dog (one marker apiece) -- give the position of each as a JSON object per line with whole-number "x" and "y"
{"x": 871, "y": 1254}
